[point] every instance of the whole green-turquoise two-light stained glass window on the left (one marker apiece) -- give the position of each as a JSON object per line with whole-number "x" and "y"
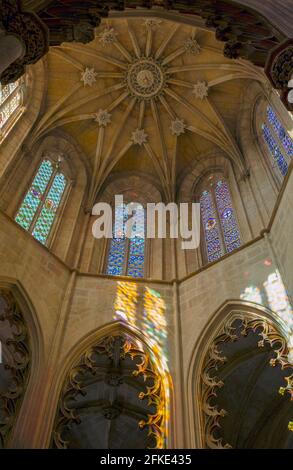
{"x": 40, "y": 204}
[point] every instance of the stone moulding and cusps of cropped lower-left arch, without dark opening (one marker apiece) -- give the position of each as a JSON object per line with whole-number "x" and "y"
{"x": 25, "y": 339}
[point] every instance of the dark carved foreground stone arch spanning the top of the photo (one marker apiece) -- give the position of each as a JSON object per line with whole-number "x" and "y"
{"x": 247, "y": 34}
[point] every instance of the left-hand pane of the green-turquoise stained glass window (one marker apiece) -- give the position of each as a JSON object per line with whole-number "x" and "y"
{"x": 33, "y": 197}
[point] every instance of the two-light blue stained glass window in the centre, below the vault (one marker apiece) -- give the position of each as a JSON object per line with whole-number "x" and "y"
{"x": 126, "y": 254}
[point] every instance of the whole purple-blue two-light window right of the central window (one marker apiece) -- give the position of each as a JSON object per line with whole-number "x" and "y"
{"x": 219, "y": 221}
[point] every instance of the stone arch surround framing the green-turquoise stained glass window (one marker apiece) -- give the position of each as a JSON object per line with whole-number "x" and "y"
{"x": 74, "y": 202}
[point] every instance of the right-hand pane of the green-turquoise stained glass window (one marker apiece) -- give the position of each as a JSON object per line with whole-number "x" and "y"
{"x": 48, "y": 212}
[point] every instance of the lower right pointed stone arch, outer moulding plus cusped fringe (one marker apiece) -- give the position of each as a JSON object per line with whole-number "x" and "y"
{"x": 202, "y": 386}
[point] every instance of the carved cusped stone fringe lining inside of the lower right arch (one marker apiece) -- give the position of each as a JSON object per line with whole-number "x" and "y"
{"x": 210, "y": 383}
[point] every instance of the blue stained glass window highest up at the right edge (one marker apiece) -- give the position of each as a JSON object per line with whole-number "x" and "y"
{"x": 278, "y": 141}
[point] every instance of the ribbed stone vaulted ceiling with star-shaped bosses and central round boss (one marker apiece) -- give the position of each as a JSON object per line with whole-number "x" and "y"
{"x": 148, "y": 95}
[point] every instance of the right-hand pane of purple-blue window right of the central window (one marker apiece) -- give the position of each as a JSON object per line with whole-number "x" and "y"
{"x": 228, "y": 221}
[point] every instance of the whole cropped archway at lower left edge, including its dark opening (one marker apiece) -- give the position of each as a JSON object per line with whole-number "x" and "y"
{"x": 22, "y": 357}
